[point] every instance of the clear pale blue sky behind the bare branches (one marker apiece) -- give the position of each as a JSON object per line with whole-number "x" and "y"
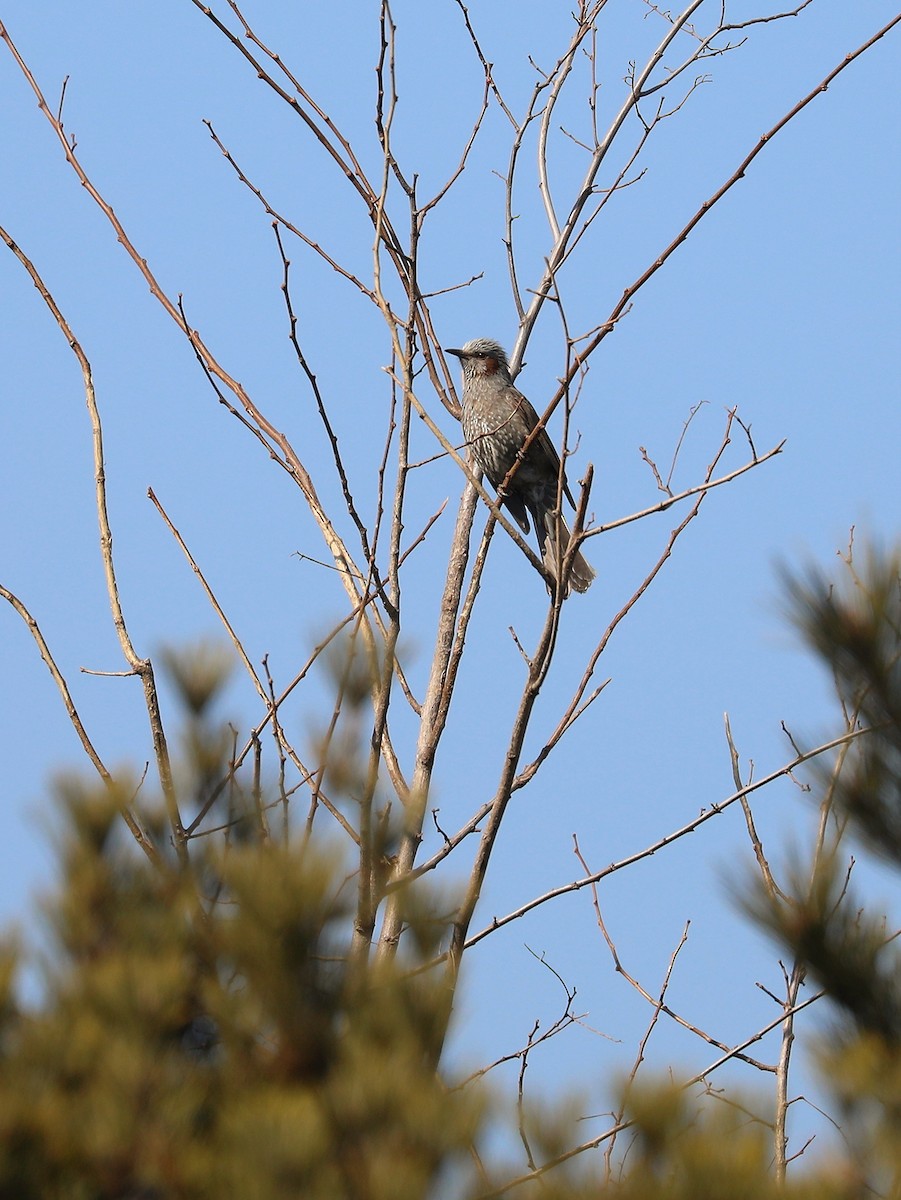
{"x": 784, "y": 302}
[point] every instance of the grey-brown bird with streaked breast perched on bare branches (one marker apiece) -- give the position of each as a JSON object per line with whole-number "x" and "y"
{"x": 497, "y": 421}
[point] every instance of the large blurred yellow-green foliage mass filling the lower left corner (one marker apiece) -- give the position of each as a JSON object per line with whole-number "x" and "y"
{"x": 206, "y": 1033}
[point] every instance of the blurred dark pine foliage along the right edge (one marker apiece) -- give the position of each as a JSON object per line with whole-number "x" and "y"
{"x": 856, "y": 629}
